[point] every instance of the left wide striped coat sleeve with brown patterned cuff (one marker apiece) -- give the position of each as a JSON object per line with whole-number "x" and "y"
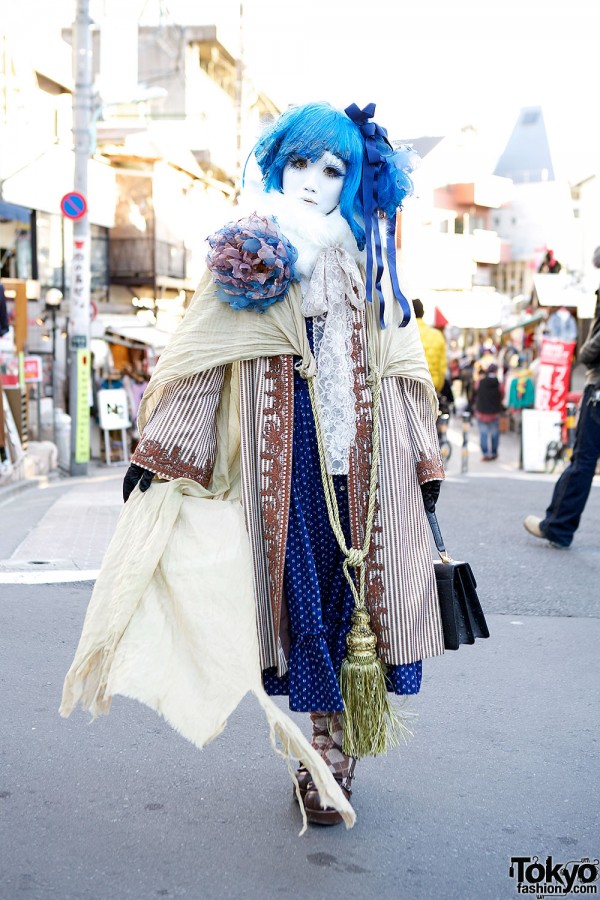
{"x": 179, "y": 440}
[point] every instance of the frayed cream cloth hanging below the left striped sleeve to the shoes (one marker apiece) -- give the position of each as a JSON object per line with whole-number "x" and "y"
{"x": 171, "y": 623}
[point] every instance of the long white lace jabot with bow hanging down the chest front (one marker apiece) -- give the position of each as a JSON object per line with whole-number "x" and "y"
{"x": 335, "y": 287}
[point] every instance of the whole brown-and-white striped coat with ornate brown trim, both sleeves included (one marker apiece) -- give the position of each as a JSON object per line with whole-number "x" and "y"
{"x": 180, "y": 441}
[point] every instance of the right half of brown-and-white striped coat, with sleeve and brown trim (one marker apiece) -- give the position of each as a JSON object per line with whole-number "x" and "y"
{"x": 400, "y": 580}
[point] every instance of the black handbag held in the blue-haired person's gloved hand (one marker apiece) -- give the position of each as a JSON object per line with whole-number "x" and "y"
{"x": 462, "y": 615}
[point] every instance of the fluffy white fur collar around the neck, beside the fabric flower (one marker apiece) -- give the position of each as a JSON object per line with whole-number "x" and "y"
{"x": 309, "y": 231}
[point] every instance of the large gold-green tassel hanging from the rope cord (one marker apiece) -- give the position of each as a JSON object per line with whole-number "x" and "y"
{"x": 371, "y": 725}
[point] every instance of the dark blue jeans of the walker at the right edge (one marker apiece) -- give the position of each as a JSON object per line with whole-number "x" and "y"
{"x": 573, "y": 487}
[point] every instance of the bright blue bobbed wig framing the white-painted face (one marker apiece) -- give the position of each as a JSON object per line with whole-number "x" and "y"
{"x": 311, "y": 130}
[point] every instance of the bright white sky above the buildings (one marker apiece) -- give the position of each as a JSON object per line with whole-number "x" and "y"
{"x": 431, "y": 66}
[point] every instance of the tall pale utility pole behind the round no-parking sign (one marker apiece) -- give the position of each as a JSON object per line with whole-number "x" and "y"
{"x": 79, "y": 325}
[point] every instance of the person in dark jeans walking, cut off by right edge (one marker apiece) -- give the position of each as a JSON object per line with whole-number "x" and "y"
{"x": 573, "y": 487}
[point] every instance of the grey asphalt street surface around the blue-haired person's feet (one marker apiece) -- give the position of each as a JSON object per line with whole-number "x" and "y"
{"x": 503, "y": 761}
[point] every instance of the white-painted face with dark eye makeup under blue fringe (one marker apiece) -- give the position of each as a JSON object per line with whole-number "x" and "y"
{"x": 318, "y": 184}
